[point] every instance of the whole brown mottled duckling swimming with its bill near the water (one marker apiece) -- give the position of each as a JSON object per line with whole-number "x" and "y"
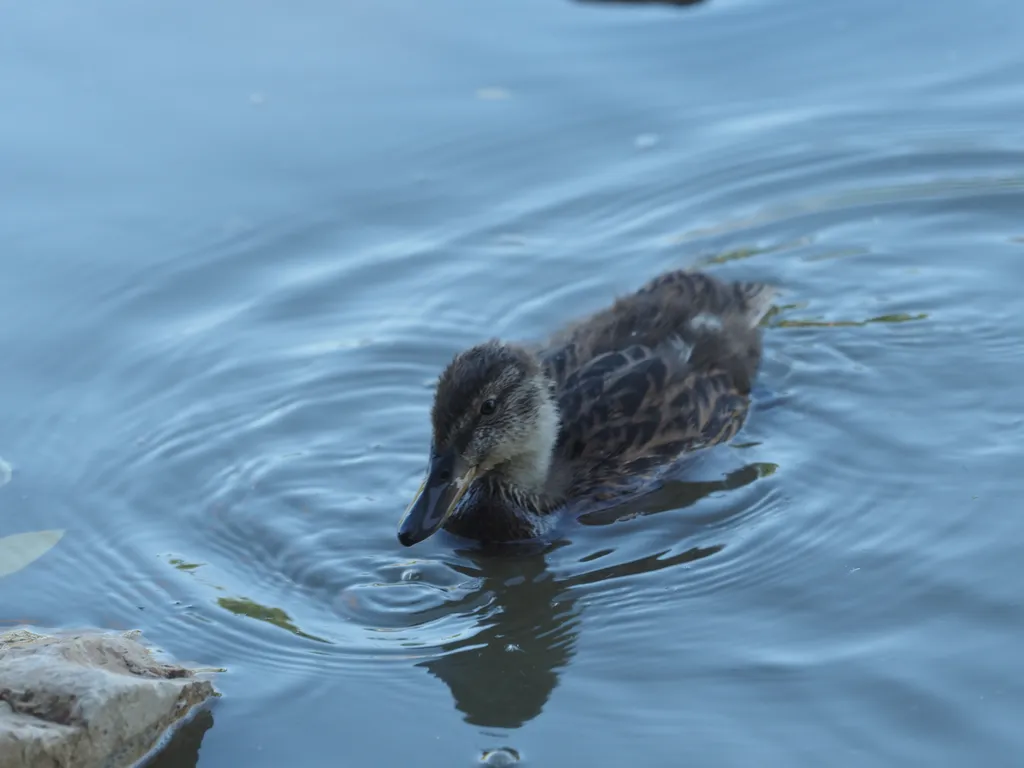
{"x": 599, "y": 413}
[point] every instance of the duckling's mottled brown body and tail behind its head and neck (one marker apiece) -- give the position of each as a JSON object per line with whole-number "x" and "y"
{"x": 661, "y": 372}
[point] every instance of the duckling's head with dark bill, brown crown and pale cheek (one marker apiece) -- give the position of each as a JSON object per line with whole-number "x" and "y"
{"x": 494, "y": 413}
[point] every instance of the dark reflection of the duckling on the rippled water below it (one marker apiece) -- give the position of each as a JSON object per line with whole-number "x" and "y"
{"x": 502, "y": 675}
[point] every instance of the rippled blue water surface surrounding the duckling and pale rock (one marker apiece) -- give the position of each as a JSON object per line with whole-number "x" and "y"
{"x": 240, "y": 240}
